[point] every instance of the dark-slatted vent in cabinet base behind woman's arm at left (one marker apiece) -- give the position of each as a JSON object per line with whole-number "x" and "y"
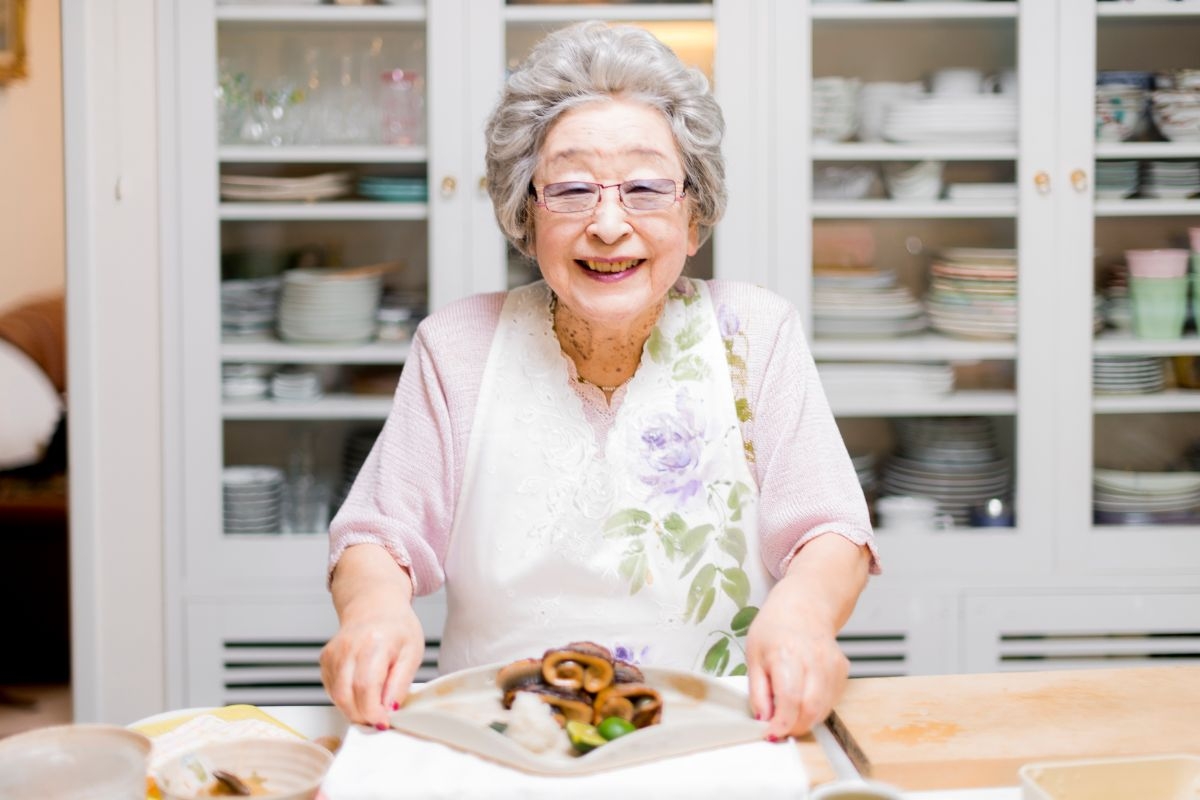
{"x": 287, "y": 673}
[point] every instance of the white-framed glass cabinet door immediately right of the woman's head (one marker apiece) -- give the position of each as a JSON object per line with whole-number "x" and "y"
{"x": 926, "y": 257}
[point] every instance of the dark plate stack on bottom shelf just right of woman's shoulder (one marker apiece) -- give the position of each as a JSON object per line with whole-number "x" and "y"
{"x": 953, "y": 460}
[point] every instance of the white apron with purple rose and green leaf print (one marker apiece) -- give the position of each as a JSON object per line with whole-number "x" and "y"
{"x": 647, "y": 545}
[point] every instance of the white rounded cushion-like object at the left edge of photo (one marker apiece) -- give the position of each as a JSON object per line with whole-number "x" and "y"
{"x": 29, "y": 410}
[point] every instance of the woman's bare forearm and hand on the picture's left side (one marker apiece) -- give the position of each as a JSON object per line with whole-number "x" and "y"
{"x": 369, "y": 665}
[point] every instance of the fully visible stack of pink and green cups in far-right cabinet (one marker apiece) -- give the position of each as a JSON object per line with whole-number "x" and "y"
{"x": 1159, "y": 290}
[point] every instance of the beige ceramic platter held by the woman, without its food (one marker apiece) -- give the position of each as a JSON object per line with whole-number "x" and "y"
{"x": 699, "y": 713}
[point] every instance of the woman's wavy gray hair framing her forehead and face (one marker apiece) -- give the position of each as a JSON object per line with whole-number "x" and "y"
{"x": 586, "y": 63}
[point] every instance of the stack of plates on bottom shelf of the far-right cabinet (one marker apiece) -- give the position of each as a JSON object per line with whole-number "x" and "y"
{"x": 1123, "y": 497}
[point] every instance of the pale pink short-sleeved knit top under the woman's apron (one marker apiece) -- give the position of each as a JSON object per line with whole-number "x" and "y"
{"x": 405, "y": 496}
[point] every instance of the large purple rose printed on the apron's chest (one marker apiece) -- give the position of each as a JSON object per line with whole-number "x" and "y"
{"x": 671, "y": 448}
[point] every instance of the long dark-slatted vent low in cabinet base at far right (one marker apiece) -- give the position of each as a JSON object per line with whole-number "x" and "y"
{"x": 1058, "y": 651}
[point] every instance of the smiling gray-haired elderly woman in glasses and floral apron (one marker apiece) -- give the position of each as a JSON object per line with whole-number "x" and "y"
{"x": 615, "y": 454}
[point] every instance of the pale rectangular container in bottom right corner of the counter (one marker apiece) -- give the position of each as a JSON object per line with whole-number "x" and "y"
{"x": 1162, "y": 778}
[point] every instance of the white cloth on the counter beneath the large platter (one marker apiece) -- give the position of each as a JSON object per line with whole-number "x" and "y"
{"x": 391, "y": 766}
